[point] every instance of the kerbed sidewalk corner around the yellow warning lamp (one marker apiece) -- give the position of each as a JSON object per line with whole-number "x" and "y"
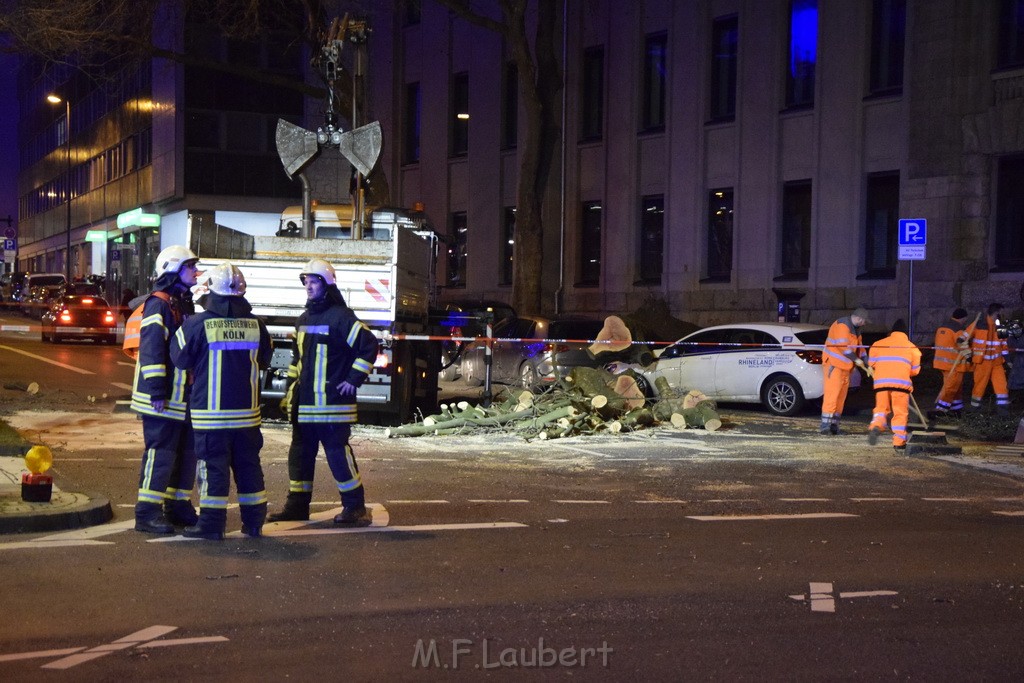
{"x": 65, "y": 511}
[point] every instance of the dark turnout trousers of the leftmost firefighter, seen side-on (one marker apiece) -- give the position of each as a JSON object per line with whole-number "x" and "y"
{"x": 168, "y": 463}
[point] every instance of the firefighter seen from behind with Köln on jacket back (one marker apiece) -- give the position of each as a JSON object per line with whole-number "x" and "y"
{"x": 225, "y": 348}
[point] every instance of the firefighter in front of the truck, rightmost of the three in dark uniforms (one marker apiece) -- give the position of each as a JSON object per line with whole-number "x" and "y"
{"x": 334, "y": 354}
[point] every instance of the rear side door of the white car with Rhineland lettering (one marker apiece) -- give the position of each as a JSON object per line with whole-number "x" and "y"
{"x": 748, "y": 357}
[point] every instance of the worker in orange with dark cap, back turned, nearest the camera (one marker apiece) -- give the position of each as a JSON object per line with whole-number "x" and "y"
{"x": 893, "y": 362}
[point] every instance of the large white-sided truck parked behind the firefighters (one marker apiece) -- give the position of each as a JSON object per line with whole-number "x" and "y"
{"x": 388, "y": 279}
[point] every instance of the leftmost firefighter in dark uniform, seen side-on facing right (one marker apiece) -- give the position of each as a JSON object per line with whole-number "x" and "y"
{"x": 160, "y": 396}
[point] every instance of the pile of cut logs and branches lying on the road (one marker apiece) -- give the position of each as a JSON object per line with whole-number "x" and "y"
{"x": 590, "y": 401}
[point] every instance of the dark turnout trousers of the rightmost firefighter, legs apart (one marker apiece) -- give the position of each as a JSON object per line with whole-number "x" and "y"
{"x": 307, "y": 439}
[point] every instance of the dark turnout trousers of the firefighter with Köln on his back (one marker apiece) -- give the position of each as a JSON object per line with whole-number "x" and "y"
{"x": 223, "y": 453}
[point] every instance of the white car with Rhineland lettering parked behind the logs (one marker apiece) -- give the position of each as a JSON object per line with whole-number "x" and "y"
{"x": 775, "y": 364}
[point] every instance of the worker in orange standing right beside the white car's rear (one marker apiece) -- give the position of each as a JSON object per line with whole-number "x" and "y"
{"x": 843, "y": 352}
